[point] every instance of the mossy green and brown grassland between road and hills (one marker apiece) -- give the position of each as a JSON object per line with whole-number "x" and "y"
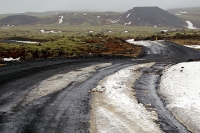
{"x": 75, "y": 41}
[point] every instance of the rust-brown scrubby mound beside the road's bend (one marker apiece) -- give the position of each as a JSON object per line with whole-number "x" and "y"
{"x": 113, "y": 47}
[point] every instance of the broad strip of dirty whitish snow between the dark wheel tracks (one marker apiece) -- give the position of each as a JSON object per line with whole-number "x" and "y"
{"x": 115, "y": 108}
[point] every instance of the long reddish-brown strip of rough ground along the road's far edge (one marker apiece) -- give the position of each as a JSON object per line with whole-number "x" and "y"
{"x": 96, "y": 47}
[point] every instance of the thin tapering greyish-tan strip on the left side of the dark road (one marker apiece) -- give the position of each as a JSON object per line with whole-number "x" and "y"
{"x": 60, "y": 81}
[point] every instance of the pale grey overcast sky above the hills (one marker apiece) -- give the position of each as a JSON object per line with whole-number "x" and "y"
{"x": 20, "y": 6}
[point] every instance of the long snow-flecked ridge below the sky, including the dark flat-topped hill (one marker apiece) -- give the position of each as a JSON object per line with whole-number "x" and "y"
{"x": 138, "y": 16}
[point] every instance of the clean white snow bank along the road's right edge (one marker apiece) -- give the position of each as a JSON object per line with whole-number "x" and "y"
{"x": 181, "y": 90}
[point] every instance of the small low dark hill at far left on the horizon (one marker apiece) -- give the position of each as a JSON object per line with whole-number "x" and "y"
{"x": 19, "y": 20}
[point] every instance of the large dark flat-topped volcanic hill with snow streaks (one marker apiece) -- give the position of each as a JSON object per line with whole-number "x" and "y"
{"x": 154, "y": 16}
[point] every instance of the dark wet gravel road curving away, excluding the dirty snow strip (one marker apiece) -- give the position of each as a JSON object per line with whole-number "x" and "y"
{"x": 54, "y": 95}
